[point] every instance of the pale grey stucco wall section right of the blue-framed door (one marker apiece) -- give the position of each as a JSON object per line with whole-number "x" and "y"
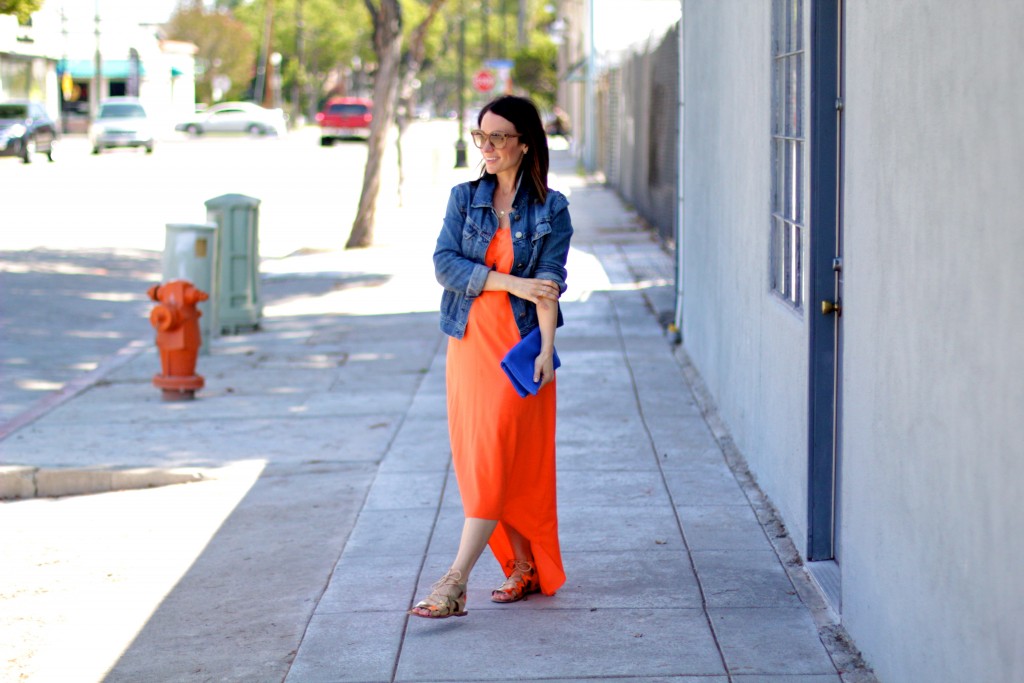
{"x": 934, "y": 365}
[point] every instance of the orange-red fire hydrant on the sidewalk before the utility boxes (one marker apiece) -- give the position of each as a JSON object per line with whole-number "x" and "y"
{"x": 177, "y": 321}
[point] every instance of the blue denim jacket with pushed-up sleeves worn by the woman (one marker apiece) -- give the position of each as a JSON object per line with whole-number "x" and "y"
{"x": 541, "y": 236}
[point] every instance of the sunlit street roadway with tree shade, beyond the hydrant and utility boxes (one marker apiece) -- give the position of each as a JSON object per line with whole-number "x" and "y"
{"x": 83, "y": 241}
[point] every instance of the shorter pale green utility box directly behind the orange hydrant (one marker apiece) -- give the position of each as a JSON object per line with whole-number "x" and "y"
{"x": 191, "y": 253}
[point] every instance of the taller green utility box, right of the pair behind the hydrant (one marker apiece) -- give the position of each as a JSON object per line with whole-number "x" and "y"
{"x": 239, "y": 305}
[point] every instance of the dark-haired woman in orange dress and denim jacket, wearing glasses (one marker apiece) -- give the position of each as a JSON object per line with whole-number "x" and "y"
{"x": 501, "y": 259}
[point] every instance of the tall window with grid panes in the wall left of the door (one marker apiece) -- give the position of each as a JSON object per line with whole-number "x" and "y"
{"x": 789, "y": 148}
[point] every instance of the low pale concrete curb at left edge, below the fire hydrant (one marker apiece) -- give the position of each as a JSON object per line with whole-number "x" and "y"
{"x": 22, "y": 483}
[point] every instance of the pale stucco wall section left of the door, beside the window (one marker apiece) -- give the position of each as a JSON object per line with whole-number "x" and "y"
{"x": 750, "y": 349}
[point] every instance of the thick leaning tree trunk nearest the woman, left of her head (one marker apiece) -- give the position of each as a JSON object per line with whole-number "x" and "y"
{"x": 388, "y": 45}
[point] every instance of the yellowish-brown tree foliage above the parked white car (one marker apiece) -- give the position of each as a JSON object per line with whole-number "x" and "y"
{"x": 227, "y": 48}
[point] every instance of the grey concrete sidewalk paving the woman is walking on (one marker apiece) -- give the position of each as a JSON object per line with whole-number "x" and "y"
{"x": 330, "y": 425}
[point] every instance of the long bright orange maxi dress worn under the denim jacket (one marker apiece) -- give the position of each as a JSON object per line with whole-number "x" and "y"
{"x": 503, "y": 446}
